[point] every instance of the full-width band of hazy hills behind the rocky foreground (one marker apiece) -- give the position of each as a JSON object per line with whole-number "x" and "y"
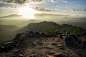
{"x": 8, "y": 32}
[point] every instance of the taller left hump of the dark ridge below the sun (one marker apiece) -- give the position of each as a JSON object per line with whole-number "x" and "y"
{"x": 38, "y": 26}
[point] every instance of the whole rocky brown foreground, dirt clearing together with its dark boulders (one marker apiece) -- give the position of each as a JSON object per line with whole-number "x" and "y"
{"x": 47, "y": 46}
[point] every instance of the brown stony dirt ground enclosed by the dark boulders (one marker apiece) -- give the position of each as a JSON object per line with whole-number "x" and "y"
{"x": 44, "y": 47}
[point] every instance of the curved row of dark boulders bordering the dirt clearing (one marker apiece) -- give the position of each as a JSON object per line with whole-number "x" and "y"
{"x": 69, "y": 40}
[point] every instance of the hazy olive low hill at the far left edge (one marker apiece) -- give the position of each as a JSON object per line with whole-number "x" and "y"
{"x": 7, "y": 32}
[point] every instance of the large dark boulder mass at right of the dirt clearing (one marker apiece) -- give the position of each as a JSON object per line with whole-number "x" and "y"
{"x": 74, "y": 41}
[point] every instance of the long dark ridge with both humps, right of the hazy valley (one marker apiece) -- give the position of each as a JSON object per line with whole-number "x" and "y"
{"x": 39, "y": 27}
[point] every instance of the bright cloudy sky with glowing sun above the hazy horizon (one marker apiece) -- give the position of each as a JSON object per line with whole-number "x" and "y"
{"x": 30, "y": 9}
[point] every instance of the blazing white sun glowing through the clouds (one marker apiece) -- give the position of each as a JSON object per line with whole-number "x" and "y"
{"x": 27, "y": 12}
